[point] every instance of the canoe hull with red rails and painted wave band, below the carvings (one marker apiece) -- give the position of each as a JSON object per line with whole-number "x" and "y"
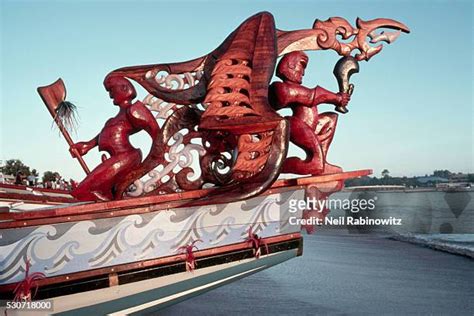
{"x": 126, "y": 254}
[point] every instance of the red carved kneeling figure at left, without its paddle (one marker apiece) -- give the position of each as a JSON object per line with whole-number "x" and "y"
{"x": 114, "y": 139}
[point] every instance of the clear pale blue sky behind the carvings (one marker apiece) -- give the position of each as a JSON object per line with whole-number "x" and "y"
{"x": 411, "y": 112}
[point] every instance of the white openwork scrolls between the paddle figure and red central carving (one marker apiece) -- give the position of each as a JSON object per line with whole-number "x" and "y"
{"x": 179, "y": 139}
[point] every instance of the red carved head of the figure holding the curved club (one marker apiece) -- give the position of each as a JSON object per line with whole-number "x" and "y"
{"x": 291, "y": 67}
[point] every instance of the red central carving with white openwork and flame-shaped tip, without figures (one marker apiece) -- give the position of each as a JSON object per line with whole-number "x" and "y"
{"x": 216, "y": 107}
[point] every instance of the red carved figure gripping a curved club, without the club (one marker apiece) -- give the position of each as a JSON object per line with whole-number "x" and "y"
{"x": 309, "y": 130}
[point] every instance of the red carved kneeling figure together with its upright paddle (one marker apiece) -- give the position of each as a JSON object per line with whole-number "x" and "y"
{"x": 101, "y": 183}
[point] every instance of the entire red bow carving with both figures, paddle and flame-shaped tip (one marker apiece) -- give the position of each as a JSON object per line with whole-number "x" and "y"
{"x": 224, "y": 108}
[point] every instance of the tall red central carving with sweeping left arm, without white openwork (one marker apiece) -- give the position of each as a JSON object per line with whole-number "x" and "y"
{"x": 233, "y": 89}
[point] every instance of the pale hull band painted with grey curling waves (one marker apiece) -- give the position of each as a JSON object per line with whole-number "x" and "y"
{"x": 65, "y": 248}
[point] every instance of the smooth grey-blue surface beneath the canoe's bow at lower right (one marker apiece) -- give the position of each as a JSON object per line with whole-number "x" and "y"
{"x": 342, "y": 274}
